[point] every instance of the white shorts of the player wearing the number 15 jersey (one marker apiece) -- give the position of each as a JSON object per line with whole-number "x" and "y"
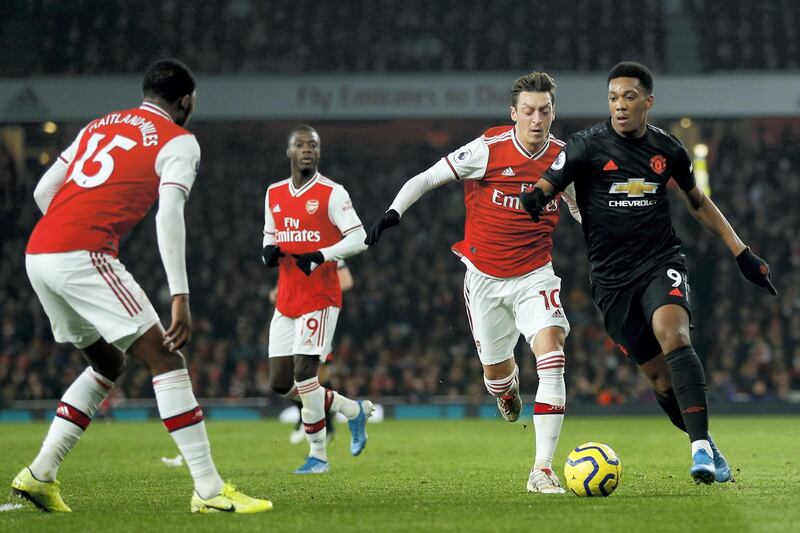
{"x": 88, "y": 295}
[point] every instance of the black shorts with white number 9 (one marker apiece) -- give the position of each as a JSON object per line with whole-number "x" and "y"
{"x": 627, "y": 310}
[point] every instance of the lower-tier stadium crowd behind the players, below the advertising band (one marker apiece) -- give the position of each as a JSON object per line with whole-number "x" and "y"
{"x": 403, "y": 330}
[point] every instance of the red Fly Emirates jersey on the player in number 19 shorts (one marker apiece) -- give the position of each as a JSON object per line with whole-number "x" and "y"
{"x": 317, "y": 215}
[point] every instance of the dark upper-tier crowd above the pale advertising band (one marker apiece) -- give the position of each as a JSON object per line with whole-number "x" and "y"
{"x": 233, "y": 36}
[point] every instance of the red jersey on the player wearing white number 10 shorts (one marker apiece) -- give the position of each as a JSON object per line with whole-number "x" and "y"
{"x": 500, "y": 238}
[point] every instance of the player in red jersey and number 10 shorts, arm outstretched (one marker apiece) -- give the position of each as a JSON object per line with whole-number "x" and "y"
{"x": 509, "y": 287}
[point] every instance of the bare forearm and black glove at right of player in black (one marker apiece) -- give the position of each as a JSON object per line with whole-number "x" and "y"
{"x": 752, "y": 267}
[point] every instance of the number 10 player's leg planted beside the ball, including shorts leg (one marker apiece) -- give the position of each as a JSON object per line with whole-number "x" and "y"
{"x": 541, "y": 319}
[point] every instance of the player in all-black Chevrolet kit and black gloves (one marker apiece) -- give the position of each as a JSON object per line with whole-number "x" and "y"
{"x": 620, "y": 169}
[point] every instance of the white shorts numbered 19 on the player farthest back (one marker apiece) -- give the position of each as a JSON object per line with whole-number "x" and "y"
{"x": 309, "y": 334}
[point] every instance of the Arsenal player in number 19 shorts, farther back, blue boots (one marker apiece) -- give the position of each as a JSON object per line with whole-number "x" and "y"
{"x": 310, "y": 224}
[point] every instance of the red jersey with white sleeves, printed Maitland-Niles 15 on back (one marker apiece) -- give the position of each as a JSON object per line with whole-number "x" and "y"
{"x": 115, "y": 168}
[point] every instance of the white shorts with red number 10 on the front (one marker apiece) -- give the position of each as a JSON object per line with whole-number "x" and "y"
{"x": 500, "y": 309}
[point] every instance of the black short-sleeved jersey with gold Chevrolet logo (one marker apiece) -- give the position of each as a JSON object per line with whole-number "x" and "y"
{"x": 621, "y": 191}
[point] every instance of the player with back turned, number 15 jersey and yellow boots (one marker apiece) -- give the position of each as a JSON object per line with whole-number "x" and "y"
{"x": 100, "y": 187}
